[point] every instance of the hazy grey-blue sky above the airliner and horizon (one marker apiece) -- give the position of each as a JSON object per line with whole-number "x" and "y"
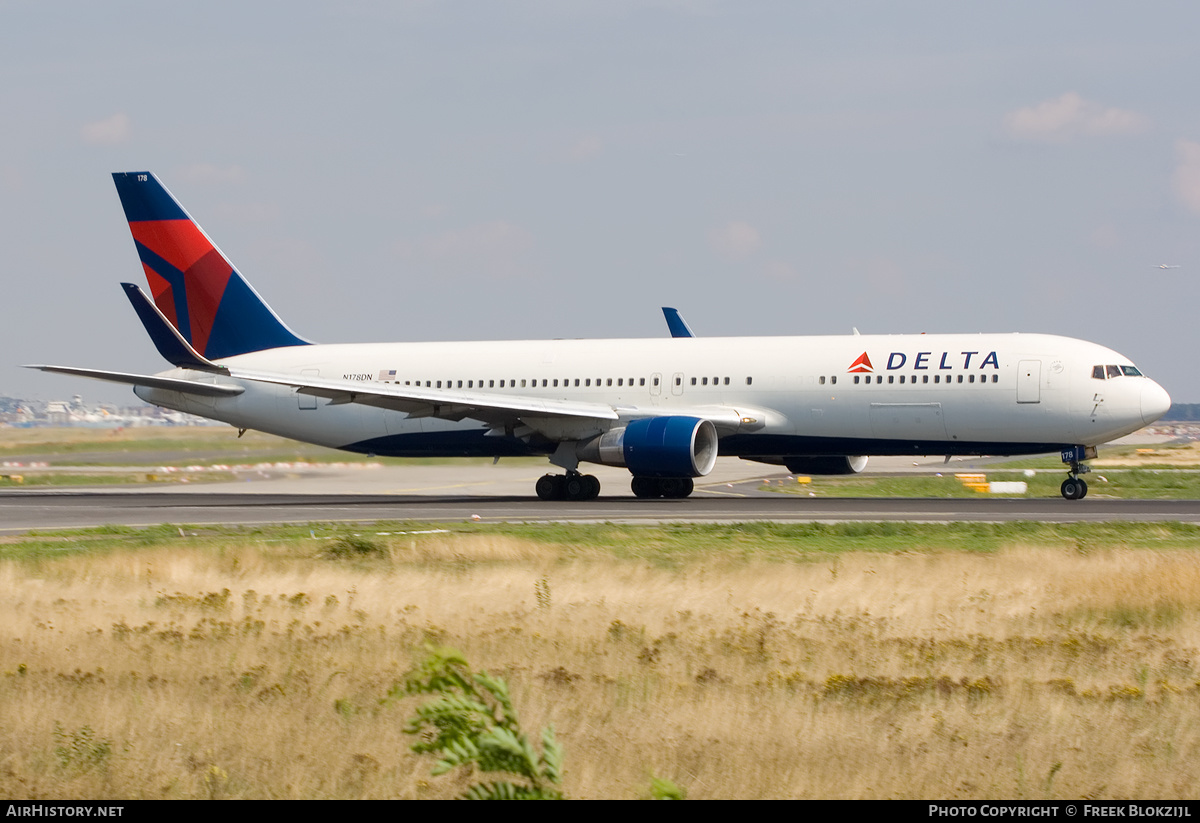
{"x": 448, "y": 171}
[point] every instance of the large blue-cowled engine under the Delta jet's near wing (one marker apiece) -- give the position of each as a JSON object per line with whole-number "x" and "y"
{"x": 658, "y": 448}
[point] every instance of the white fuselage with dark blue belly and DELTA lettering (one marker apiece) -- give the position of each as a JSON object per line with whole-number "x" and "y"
{"x": 769, "y": 397}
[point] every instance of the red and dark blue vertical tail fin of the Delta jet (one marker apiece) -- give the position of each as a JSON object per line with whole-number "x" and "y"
{"x": 194, "y": 285}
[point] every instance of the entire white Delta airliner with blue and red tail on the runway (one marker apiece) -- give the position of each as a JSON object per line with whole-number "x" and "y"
{"x": 664, "y": 409}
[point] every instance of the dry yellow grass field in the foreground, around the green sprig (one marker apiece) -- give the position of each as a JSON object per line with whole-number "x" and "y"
{"x": 257, "y": 674}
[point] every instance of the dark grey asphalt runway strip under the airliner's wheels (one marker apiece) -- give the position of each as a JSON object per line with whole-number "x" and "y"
{"x": 22, "y": 512}
